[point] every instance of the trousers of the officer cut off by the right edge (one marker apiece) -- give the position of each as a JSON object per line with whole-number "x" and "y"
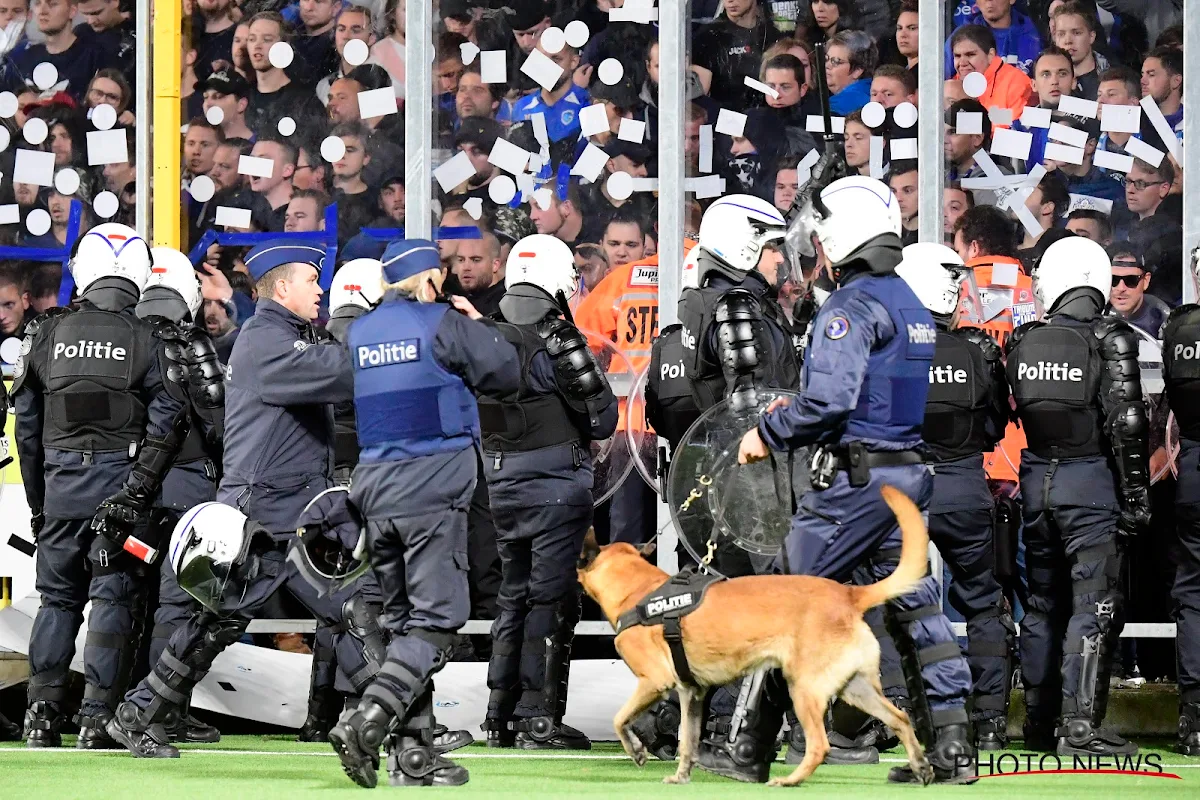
{"x": 1186, "y": 591}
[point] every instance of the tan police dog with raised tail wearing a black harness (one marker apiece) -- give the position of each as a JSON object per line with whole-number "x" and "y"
{"x": 812, "y": 629}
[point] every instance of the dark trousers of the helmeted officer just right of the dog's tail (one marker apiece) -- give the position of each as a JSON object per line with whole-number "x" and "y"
{"x": 962, "y": 527}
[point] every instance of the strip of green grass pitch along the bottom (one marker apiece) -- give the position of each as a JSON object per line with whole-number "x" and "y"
{"x": 277, "y": 767}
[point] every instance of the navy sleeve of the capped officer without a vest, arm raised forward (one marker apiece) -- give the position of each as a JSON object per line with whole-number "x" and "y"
{"x": 293, "y": 372}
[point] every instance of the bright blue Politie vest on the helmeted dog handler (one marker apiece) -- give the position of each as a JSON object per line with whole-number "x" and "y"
{"x": 896, "y": 387}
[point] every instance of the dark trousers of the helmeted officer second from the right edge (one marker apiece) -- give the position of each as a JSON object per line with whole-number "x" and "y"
{"x": 1075, "y": 567}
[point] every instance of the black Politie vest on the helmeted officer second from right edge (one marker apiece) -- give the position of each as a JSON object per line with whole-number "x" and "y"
{"x": 1055, "y": 375}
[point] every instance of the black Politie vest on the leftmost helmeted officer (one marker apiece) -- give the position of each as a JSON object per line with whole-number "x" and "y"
{"x": 98, "y": 366}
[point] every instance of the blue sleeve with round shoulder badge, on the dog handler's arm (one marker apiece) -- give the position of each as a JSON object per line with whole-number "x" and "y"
{"x": 836, "y": 372}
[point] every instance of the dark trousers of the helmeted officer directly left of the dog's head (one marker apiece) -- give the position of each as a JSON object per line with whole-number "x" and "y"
{"x": 542, "y": 502}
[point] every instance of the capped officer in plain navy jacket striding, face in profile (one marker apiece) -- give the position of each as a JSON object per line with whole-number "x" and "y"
{"x": 283, "y": 380}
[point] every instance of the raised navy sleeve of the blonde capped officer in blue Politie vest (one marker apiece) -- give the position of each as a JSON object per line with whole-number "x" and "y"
{"x": 477, "y": 353}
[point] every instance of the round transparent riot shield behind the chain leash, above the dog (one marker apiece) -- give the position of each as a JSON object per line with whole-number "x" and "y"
{"x": 733, "y": 518}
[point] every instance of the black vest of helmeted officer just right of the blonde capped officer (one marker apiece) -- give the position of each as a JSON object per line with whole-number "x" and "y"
{"x": 530, "y": 422}
